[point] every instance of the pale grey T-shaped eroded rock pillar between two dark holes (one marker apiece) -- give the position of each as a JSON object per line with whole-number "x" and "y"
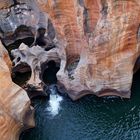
{"x": 34, "y": 57}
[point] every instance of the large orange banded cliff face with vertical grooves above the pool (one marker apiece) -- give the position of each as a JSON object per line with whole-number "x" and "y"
{"x": 101, "y": 38}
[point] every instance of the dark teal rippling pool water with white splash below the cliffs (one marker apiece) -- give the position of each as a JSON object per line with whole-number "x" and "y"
{"x": 89, "y": 118}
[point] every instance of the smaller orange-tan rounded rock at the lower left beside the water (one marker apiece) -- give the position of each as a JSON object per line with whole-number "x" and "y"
{"x": 16, "y": 114}
